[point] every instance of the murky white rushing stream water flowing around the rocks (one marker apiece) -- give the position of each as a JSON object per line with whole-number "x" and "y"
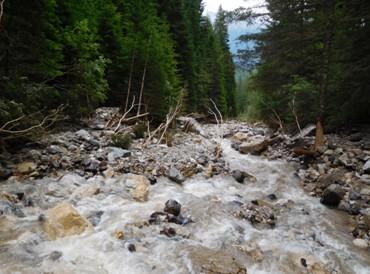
{"x": 304, "y": 228}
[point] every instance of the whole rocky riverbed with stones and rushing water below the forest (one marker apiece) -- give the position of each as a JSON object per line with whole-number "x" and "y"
{"x": 73, "y": 203}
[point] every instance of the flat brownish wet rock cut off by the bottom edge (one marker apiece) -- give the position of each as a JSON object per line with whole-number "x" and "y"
{"x": 208, "y": 261}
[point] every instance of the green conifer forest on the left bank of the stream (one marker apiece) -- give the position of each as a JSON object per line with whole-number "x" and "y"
{"x": 90, "y": 53}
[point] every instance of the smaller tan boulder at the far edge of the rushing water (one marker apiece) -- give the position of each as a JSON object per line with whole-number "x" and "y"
{"x": 139, "y": 187}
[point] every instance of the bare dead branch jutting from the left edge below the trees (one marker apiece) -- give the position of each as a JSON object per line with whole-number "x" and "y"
{"x": 48, "y": 121}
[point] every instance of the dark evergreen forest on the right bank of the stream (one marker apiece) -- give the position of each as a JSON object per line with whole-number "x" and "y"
{"x": 311, "y": 61}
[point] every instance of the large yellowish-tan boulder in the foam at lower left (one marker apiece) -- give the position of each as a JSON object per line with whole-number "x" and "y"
{"x": 63, "y": 220}
